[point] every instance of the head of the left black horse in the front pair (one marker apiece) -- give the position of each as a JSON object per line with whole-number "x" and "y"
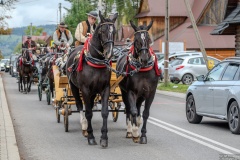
{"x": 105, "y": 34}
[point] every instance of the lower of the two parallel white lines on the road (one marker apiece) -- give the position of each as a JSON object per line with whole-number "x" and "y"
{"x": 191, "y": 138}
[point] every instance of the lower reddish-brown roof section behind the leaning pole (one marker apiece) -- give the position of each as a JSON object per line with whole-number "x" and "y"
{"x": 185, "y": 34}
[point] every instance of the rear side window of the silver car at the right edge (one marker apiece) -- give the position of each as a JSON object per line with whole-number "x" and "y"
{"x": 230, "y": 72}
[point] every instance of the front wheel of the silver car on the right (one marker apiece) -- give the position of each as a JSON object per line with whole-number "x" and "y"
{"x": 191, "y": 114}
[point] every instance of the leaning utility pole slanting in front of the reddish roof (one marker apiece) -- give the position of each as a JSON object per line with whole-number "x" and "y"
{"x": 200, "y": 43}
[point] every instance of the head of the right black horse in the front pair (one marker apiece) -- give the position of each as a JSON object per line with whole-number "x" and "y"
{"x": 142, "y": 43}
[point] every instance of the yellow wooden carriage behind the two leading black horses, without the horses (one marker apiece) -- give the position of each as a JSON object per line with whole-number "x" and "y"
{"x": 64, "y": 99}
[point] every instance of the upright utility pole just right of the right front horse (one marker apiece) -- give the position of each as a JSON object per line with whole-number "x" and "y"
{"x": 166, "y": 48}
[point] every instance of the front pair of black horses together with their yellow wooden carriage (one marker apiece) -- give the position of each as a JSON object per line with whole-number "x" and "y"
{"x": 96, "y": 79}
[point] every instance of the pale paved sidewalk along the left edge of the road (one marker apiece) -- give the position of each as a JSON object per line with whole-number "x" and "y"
{"x": 8, "y": 143}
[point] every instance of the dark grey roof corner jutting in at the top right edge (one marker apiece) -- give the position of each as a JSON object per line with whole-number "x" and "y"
{"x": 227, "y": 26}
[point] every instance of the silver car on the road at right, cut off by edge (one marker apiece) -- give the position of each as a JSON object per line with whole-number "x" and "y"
{"x": 216, "y": 95}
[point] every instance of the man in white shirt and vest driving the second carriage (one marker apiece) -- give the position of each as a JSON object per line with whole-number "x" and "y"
{"x": 63, "y": 34}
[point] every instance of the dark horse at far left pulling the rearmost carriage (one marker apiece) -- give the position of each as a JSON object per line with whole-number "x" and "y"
{"x": 25, "y": 70}
